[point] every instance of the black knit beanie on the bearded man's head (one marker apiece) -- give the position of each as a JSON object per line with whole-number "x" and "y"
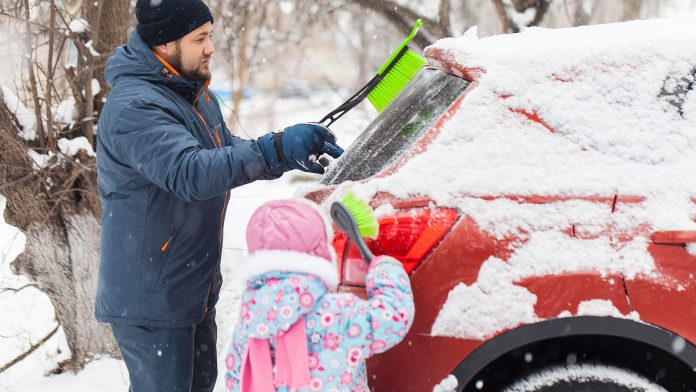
{"x": 162, "y": 21}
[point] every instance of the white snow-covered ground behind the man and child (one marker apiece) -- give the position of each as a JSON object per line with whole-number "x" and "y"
{"x": 32, "y": 314}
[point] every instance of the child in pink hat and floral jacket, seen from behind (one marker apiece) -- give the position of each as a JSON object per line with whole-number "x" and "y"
{"x": 293, "y": 335}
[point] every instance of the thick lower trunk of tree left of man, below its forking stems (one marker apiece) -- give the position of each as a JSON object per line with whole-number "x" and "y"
{"x": 62, "y": 229}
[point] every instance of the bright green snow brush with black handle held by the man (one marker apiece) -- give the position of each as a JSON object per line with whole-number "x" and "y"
{"x": 388, "y": 82}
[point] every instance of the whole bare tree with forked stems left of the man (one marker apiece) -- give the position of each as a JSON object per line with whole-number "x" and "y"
{"x": 56, "y": 204}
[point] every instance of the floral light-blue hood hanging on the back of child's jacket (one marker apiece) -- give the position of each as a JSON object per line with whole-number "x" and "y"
{"x": 273, "y": 302}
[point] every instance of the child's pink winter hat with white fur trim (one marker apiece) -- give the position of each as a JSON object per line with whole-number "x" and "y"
{"x": 292, "y": 235}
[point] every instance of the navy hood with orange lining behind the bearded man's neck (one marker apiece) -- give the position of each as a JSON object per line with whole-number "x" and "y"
{"x": 137, "y": 60}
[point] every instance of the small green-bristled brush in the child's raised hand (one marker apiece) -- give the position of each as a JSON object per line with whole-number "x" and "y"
{"x": 357, "y": 220}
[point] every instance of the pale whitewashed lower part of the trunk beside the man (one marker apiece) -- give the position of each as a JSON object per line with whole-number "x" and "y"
{"x": 62, "y": 258}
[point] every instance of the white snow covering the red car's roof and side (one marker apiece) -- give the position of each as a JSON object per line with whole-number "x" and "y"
{"x": 615, "y": 118}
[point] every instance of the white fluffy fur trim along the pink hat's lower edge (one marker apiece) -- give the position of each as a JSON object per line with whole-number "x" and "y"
{"x": 265, "y": 261}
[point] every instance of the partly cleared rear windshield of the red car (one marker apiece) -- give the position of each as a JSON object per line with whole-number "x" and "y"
{"x": 416, "y": 109}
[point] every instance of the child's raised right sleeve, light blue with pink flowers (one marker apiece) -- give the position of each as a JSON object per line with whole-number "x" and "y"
{"x": 386, "y": 316}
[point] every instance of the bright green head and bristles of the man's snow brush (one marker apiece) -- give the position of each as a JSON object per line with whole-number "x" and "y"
{"x": 400, "y": 74}
